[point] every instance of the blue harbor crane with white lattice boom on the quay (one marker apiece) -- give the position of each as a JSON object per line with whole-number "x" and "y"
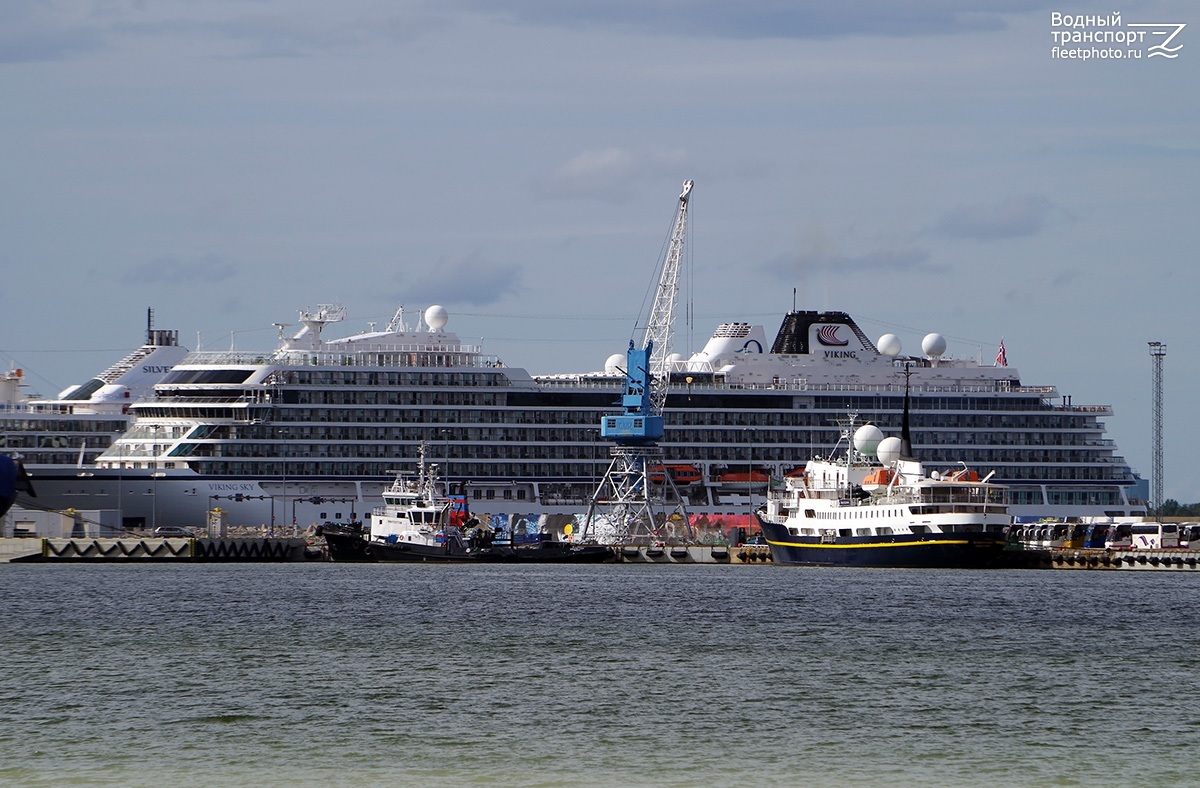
{"x": 626, "y": 507}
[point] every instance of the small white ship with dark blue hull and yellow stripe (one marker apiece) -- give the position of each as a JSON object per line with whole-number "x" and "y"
{"x": 893, "y": 513}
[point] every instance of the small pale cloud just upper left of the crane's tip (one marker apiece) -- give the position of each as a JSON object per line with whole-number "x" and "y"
{"x": 607, "y": 175}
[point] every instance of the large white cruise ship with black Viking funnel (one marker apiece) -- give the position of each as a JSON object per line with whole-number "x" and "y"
{"x": 317, "y": 429}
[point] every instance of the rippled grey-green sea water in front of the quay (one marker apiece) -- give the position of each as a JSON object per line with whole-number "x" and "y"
{"x": 596, "y": 676}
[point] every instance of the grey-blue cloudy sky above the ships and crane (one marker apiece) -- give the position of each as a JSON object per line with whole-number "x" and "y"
{"x": 927, "y": 166}
